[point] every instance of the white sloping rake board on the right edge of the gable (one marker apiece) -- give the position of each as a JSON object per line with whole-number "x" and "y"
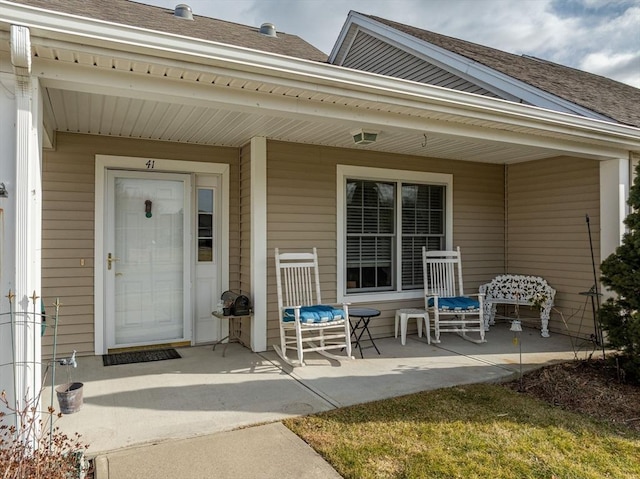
{"x": 471, "y": 70}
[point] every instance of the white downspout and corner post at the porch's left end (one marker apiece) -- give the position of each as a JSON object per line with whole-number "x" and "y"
{"x": 28, "y": 214}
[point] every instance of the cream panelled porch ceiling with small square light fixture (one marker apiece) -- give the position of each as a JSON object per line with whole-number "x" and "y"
{"x": 118, "y": 116}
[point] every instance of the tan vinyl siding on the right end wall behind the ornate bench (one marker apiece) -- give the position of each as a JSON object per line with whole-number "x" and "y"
{"x": 548, "y": 236}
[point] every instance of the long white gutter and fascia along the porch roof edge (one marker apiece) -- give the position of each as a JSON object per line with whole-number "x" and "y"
{"x": 312, "y": 76}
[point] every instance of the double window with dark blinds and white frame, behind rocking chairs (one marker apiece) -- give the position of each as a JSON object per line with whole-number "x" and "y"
{"x": 387, "y": 216}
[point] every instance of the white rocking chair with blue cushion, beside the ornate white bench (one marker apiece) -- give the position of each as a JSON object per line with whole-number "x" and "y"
{"x": 445, "y": 301}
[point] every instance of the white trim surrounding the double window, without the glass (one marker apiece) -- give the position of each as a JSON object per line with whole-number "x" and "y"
{"x": 346, "y": 171}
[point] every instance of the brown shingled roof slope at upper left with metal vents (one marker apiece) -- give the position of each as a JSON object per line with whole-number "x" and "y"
{"x": 149, "y": 17}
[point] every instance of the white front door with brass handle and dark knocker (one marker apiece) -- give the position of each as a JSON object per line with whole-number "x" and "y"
{"x": 147, "y": 244}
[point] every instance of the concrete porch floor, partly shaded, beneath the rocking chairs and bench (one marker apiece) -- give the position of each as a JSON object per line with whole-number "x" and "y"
{"x": 204, "y": 393}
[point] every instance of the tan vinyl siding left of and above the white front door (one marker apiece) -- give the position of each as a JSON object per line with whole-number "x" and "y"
{"x": 68, "y": 224}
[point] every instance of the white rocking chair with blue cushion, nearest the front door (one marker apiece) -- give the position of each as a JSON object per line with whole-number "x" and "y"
{"x": 305, "y": 323}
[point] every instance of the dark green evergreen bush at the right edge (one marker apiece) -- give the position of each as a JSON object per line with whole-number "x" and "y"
{"x": 620, "y": 316}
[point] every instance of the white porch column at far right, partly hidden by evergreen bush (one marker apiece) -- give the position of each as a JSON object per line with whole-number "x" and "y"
{"x": 615, "y": 180}
